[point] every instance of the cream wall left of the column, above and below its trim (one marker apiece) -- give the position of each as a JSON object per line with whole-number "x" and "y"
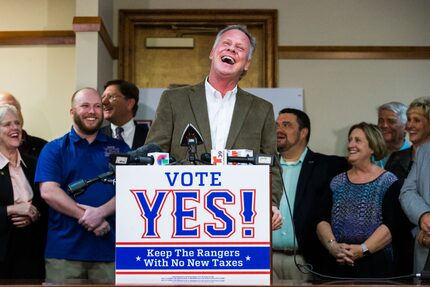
{"x": 41, "y": 77}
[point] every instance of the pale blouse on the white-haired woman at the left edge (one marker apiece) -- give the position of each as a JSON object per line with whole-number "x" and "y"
{"x": 22, "y": 191}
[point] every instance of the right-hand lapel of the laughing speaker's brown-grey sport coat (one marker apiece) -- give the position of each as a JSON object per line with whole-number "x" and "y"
{"x": 241, "y": 109}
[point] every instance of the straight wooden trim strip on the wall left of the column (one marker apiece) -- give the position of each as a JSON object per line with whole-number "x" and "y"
{"x": 37, "y": 38}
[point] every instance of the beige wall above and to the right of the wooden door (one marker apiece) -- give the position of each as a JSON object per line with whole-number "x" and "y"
{"x": 339, "y": 93}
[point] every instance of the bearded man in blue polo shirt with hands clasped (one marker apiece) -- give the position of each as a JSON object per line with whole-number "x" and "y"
{"x": 81, "y": 229}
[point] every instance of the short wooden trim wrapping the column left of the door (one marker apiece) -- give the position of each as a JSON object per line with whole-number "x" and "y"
{"x": 95, "y": 24}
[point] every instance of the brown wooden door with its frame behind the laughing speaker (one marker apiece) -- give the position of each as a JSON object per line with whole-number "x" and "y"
{"x": 154, "y": 67}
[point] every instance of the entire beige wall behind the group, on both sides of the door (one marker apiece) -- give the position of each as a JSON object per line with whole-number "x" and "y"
{"x": 338, "y": 93}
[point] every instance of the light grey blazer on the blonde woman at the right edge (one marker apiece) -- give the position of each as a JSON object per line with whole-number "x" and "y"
{"x": 415, "y": 198}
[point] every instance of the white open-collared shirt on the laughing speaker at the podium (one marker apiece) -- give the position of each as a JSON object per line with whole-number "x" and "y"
{"x": 220, "y": 112}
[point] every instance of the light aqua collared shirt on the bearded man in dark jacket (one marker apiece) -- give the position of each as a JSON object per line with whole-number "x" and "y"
{"x": 283, "y": 238}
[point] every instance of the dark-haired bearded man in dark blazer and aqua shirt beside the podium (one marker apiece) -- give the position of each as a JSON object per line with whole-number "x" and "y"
{"x": 306, "y": 176}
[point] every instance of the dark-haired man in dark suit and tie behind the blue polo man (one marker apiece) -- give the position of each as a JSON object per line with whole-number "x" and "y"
{"x": 120, "y": 103}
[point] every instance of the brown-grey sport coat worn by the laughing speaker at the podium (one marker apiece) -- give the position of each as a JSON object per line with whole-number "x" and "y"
{"x": 252, "y": 127}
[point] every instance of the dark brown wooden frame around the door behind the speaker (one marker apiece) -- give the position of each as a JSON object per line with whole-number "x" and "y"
{"x": 130, "y": 19}
